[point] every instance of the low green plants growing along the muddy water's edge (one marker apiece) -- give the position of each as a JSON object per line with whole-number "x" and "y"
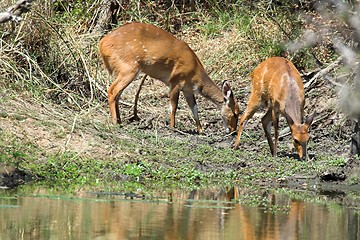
{"x": 150, "y": 160}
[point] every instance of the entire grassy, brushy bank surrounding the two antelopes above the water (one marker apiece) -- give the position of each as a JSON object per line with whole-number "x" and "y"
{"x": 55, "y": 126}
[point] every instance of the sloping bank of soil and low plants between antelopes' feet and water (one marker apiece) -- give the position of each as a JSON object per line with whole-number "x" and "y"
{"x": 64, "y": 148}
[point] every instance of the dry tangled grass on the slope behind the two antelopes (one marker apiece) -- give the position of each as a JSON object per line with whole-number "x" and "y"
{"x": 54, "y": 59}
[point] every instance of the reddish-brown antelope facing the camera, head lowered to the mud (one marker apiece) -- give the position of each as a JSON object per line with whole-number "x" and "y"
{"x": 277, "y": 84}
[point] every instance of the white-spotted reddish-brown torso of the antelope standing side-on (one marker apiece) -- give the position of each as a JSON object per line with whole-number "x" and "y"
{"x": 152, "y": 50}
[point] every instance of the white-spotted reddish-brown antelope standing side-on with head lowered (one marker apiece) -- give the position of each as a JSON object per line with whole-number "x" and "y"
{"x": 138, "y": 47}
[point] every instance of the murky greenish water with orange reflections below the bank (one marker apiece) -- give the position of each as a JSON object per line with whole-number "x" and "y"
{"x": 206, "y": 214}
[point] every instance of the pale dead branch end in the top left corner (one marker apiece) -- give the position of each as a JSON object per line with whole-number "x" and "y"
{"x": 14, "y": 12}
